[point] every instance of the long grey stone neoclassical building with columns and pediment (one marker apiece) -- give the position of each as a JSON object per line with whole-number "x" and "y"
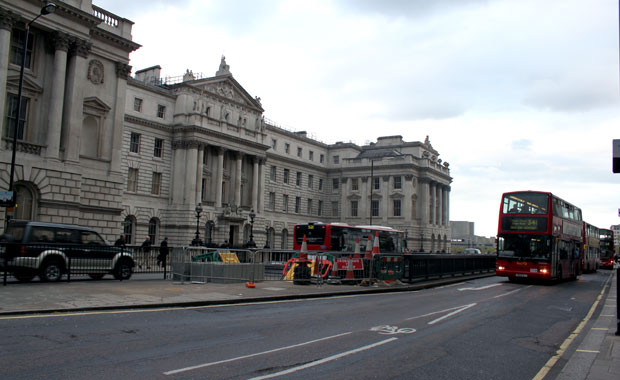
{"x": 138, "y": 154}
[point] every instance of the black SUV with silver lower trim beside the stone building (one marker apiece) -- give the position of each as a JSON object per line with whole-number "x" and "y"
{"x": 49, "y": 250}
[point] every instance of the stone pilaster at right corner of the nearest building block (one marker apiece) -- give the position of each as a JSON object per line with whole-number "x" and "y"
{"x": 116, "y": 144}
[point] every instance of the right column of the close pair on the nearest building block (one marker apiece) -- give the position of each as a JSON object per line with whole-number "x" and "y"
{"x": 74, "y": 101}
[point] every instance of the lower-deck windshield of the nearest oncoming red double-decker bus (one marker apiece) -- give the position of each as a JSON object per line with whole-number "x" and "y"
{"x": 525, "y": 246}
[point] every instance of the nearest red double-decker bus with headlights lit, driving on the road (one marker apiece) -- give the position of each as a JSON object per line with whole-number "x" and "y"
{"x": 540, "y": 236}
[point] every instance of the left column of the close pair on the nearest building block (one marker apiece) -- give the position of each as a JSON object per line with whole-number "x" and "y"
{"x": 54, "y": 128}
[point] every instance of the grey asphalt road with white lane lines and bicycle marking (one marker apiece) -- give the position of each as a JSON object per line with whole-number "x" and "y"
{"x": 482, "y": 329}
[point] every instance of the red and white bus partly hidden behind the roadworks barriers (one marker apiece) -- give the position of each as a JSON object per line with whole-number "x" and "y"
{"x": 343, "y": 237}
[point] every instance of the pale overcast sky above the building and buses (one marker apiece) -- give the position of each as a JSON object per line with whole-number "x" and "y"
{"x": 514, "y": 94}
